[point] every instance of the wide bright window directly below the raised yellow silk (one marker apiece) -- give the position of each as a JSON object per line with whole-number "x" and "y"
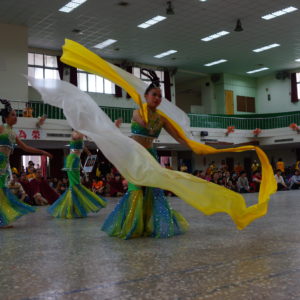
{"x": 93, "y": 83}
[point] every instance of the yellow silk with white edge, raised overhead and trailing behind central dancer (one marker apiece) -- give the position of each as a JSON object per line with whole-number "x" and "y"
{"x": 78, "y": 56}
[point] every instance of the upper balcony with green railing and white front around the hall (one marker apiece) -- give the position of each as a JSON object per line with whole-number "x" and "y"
{"x": 275, "y": 128}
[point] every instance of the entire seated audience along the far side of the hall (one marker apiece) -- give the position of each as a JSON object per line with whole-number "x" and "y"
{"x": 31, "y": 187}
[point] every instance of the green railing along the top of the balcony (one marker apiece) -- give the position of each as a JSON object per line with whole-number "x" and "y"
{"x": 249, "y": 122}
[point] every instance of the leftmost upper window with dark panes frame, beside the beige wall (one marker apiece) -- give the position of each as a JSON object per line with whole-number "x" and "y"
{"x": 42, "y": 66}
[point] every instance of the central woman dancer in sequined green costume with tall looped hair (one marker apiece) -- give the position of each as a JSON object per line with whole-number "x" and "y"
{"x": 146, "y": 211}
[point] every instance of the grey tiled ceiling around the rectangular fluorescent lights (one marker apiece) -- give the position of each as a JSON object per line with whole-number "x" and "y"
{"x": 103, "y": 19}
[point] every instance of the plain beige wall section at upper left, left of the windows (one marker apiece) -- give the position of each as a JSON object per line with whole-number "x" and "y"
{"x": 13, "y": 62}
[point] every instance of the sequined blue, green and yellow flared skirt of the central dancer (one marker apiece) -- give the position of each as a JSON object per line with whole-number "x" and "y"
{"x": 144, "y": 212}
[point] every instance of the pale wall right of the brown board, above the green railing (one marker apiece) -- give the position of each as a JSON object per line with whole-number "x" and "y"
{"x": 280, "y": 95}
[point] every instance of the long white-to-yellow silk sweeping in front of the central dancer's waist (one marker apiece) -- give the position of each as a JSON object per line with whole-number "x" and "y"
{"x": 135, "y": 163}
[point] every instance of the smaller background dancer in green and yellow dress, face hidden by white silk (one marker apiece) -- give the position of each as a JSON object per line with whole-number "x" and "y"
{"x": 77, "y": 201}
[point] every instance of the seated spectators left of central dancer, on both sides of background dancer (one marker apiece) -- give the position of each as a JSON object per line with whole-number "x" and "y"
{"x": 31, "y": 187}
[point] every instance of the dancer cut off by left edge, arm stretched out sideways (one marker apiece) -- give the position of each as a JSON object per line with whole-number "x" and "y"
{"x": 10, "y": 207}
